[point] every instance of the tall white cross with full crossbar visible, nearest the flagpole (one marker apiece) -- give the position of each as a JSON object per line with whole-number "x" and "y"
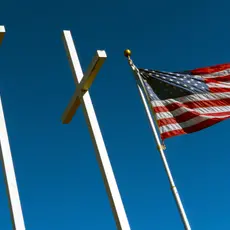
{"x": 81, "y": 96}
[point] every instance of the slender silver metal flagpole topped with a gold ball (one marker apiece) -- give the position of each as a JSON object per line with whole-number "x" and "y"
{"x": 160, "y": 147}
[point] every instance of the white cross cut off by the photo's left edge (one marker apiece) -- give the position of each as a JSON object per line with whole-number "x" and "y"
{"x": 8, "y": 168}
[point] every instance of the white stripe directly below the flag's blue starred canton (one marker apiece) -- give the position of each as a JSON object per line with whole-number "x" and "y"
{"x": 191, "y": 98}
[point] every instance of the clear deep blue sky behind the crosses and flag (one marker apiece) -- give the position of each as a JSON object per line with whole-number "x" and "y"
{"x": 58, "y": 176}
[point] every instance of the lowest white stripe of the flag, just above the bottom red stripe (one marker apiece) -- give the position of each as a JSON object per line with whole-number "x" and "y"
{"x": 186, "y": 124}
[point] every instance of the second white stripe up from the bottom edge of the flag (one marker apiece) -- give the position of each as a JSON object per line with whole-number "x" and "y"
{"x": 202, "y": 111}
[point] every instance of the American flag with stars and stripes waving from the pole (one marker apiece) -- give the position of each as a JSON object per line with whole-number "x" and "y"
{"x": 189, "y": 101}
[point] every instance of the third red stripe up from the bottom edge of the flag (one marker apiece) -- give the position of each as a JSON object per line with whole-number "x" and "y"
{"x": 192, "y": 105}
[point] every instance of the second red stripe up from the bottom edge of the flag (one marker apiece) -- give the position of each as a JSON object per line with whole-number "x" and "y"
{"x": 187, "y": 116}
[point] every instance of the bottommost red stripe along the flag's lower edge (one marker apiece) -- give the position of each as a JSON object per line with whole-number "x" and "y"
{"x": 192, "y": 129}
